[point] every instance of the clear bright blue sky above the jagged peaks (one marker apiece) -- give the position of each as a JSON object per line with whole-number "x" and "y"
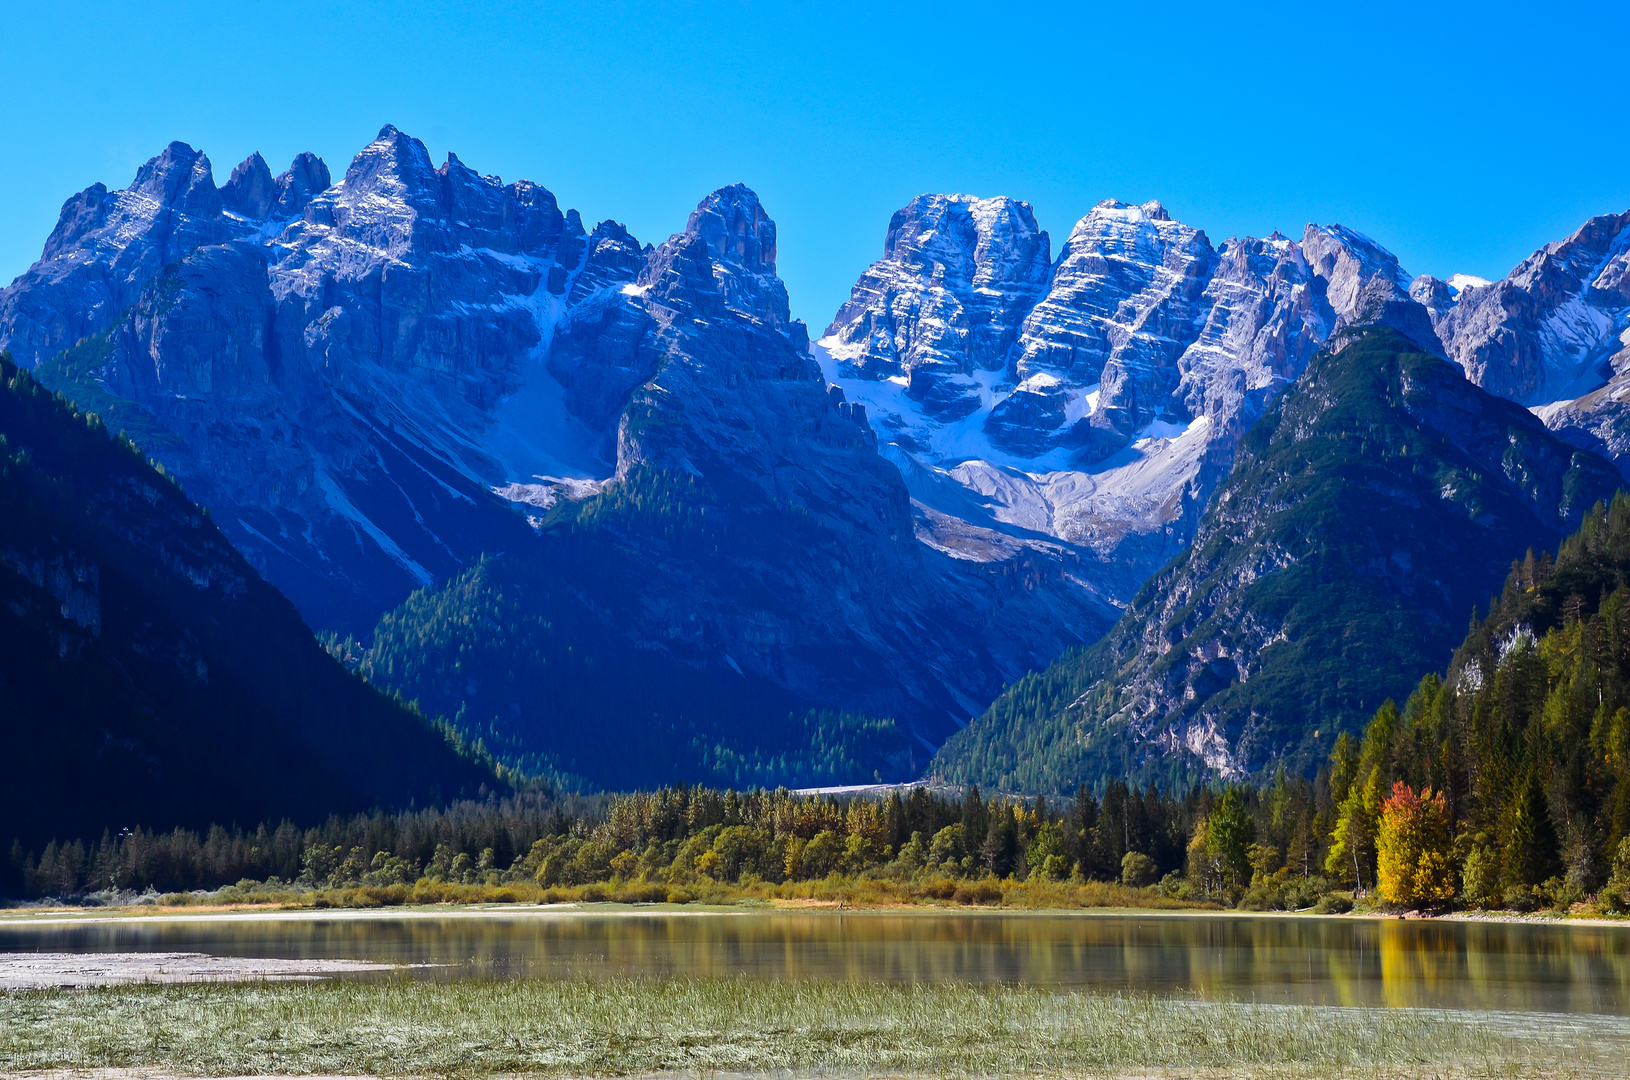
{"x": 1461, "y": 136}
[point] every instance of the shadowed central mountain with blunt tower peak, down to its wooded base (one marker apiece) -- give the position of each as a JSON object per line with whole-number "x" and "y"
{"x": 754, "y": 556}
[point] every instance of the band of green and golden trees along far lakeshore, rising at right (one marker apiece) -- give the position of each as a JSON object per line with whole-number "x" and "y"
{"x": 1502, "y": 783}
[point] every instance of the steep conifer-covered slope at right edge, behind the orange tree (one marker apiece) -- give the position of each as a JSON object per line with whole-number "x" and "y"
{"x": 1526, "y": 734}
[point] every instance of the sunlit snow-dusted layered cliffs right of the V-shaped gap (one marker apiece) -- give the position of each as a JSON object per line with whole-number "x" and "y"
{"x": 1137, "y": 367}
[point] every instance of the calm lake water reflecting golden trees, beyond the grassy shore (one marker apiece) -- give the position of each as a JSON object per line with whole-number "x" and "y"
{"x": 1319, "y": 962}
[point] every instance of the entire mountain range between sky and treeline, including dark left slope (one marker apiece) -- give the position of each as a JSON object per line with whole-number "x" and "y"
{"x": 571, "y": 504}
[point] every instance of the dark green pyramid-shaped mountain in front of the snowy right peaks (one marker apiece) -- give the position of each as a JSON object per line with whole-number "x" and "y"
{"x": 1368, "y": 512}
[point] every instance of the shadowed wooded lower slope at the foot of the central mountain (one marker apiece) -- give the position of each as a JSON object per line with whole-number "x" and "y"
{"x": 513, "y": 656}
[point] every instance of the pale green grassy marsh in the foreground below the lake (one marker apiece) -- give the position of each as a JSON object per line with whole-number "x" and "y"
{"x": 632, "y": 1025}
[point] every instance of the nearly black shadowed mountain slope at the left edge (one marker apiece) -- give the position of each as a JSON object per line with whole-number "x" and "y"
{"x": 151, "y": 677}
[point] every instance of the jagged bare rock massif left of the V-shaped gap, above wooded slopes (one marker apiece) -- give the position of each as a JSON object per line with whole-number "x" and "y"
{"x": 372, "y": 382}
